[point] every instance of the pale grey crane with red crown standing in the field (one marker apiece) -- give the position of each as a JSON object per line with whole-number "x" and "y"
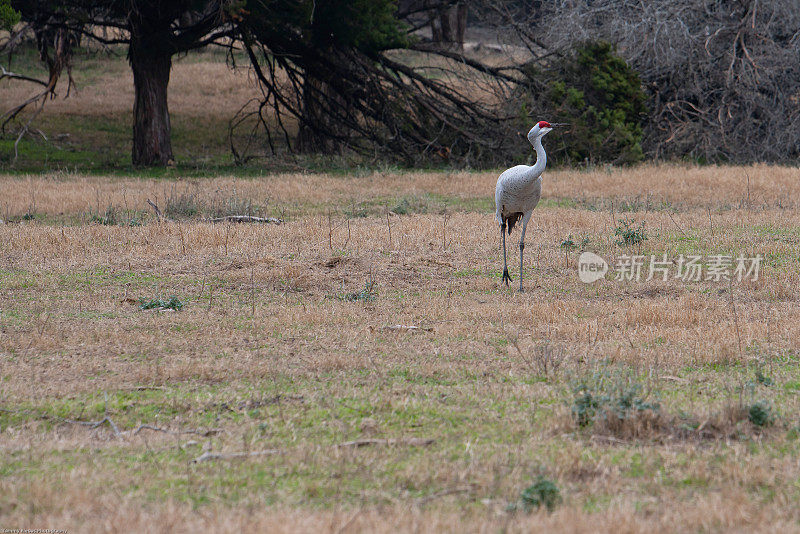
{"x": 517, "y": 192}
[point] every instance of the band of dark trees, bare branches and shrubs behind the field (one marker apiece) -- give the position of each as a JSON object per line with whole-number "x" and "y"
{"x": 446, "y": 82}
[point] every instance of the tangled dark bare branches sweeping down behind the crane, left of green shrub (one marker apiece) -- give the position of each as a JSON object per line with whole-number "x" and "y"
{"x": 381, "y": 104}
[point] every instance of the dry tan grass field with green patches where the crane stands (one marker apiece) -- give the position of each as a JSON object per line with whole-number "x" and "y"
{"x": 284, "y": 397}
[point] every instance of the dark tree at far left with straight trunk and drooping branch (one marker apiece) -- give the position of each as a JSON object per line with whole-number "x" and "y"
{"x": 153, "y": 32}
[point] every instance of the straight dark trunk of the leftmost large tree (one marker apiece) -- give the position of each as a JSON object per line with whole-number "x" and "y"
{"x": 151, "y": 127}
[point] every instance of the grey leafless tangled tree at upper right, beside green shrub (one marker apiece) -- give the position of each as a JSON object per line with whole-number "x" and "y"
{"x": 723, "y": 75}
